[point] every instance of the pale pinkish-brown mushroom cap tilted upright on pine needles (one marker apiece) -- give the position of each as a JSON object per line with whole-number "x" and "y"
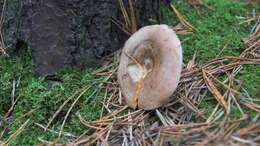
{"x": 150, "y": 67}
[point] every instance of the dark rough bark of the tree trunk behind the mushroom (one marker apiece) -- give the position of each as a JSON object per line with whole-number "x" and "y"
{"x": 71, "y": 32}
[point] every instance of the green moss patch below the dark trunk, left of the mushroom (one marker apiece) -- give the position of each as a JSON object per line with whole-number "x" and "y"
{"x": 34, "y": 93}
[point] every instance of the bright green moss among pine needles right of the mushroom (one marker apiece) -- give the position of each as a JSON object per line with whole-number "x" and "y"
{"x": 218, "y": 30}
